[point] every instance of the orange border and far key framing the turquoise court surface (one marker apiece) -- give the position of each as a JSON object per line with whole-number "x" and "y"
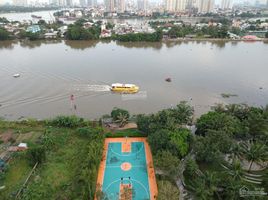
{"x": 126, "y": 147}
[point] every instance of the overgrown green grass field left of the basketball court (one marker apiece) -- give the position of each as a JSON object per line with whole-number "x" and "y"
{"x": 53, "y": 179}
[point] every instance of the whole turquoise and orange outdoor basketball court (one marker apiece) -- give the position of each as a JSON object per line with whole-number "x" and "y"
{"x": 126, "y": 170}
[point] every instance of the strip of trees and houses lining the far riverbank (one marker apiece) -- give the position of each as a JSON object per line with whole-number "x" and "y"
{"x": 84, "y": 29}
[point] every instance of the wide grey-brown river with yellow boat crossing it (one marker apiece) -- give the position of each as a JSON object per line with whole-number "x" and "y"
{"x": 51, "y": 71}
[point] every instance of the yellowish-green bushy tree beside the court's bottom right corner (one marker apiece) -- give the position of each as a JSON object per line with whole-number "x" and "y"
{"x": 166, "y": 190}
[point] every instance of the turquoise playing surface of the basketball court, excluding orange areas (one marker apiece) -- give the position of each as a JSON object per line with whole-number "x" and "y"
{"x": 137, "y": 176}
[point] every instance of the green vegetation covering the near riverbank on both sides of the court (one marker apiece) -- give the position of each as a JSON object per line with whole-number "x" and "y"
{"x": 227, "y": 151}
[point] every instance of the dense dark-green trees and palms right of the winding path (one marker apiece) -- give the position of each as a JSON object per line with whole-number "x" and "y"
{"x": 230, "y": 139}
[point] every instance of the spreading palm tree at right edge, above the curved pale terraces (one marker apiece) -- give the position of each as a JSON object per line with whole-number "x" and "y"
{"x": 255, "y": 152}
